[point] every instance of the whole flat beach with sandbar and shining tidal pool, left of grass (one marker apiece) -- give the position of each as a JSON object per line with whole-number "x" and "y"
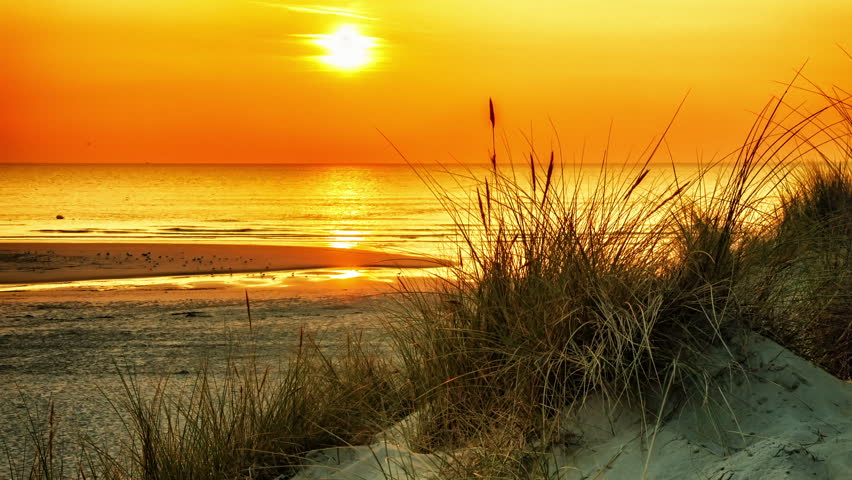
{"x": 73, "y": 318}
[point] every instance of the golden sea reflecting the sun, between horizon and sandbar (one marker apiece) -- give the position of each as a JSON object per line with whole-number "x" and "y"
{"x": 394, "y": 208}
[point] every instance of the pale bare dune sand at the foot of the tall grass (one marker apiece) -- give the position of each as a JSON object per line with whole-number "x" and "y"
{"x": 772, "y": 415}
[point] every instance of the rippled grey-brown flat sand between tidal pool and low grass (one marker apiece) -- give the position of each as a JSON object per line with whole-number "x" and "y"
{"x": 68, "y": 344}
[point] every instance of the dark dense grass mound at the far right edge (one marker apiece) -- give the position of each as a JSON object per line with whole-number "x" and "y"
{"x": 809, "y": 258}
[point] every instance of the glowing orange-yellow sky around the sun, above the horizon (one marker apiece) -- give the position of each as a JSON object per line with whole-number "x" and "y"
{"x": 237, "y": 80}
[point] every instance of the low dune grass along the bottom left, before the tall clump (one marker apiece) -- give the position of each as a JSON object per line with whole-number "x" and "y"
{"x": 240, "y": 420}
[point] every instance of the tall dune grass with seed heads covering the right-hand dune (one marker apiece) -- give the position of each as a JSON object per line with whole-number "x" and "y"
{"x": 560, "y": 292}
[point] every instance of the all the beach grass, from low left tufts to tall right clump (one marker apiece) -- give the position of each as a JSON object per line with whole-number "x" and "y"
{"x": 561, "y": 293}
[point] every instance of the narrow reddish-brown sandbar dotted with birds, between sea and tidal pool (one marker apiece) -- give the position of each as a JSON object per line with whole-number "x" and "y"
{"x": 23, "y": 263}
